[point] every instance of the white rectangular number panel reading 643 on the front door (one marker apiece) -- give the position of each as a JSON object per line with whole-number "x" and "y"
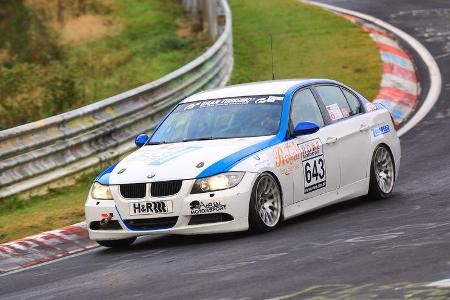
{"x": 313, "y": 164}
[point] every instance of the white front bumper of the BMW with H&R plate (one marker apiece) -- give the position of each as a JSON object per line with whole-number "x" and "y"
{"x": 232, "y": 203}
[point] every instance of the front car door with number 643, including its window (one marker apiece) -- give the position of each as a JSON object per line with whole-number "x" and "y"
{"x": 318, "y": 171}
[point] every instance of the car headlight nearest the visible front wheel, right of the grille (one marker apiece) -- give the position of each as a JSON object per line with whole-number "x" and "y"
{"x": 217, "y": 182}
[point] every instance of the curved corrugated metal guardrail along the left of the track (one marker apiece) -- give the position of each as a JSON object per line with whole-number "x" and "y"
{"x": 37, "y": 153}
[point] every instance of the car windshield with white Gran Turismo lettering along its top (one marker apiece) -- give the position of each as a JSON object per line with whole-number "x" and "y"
{"x": 221, "y": 118}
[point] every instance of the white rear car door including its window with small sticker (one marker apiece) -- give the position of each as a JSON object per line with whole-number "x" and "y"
{"x": 349, "y": 130}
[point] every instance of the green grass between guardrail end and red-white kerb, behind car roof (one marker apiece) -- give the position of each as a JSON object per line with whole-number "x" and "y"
{"x": 308, "y": 42}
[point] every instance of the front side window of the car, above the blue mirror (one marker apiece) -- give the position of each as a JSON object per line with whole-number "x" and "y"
{"x": 305, "y": 108}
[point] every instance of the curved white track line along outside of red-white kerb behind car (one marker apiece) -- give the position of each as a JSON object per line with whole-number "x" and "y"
{"x": 435, "y": 74}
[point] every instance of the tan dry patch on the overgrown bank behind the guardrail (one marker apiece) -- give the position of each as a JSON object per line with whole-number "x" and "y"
{"x": 87, "y": 28}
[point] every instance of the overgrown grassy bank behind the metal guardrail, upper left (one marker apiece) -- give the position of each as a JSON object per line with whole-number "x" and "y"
{"x": 143, "y": 45}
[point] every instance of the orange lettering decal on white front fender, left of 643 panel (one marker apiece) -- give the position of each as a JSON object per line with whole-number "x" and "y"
{"x": 287, "y": 156}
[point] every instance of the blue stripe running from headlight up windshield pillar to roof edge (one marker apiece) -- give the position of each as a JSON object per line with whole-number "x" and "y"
{"x": 226, "y": 163}
